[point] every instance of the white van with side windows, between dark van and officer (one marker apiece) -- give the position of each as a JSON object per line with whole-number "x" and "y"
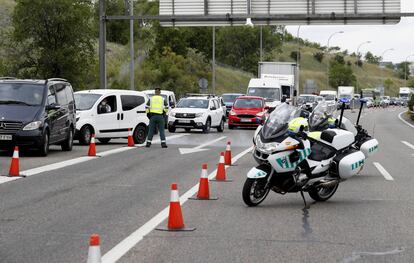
{"x": 109, "y": 113}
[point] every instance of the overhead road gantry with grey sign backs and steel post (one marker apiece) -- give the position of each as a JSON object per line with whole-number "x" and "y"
{"x": 259, "y": 12}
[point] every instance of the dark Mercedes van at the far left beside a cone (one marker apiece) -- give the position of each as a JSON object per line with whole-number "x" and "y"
{"x": 36, "y": 113}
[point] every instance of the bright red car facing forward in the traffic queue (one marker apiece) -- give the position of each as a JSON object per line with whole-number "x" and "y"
{"x": 247, "y": 111}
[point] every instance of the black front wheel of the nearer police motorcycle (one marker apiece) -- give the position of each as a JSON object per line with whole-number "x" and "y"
{"x": 254, "y": 191}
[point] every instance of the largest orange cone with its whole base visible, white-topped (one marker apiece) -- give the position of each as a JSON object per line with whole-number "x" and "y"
{"x": 175, "y": 217}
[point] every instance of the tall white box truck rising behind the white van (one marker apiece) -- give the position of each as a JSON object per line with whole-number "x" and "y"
{"x": 286, "y": 73}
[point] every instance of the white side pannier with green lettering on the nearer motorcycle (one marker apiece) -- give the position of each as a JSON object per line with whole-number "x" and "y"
{"x": 348, "y": 164}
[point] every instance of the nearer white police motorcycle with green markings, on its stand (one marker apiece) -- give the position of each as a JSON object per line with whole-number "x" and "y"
{"x": 291, "y": 163}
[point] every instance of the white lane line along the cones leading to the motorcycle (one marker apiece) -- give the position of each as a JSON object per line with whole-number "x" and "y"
{"x": 132, "y": 240}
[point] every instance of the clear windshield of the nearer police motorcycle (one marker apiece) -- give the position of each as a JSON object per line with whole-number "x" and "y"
{"x": 277, "y": 123}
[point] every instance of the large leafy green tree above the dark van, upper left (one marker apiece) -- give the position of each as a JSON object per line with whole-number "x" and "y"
{"x": 56, "y": 39}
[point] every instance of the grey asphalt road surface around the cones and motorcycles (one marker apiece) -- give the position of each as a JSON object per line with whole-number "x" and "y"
{"x": 49, "y": 216}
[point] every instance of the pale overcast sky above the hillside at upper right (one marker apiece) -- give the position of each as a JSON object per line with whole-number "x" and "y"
{"x": 400, "y": 37}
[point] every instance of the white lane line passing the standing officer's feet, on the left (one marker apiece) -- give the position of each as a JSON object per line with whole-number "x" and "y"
{"x": 60, "y": 165}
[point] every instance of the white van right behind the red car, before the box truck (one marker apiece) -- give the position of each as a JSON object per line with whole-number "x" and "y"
{"x": 267, "y": 88}
